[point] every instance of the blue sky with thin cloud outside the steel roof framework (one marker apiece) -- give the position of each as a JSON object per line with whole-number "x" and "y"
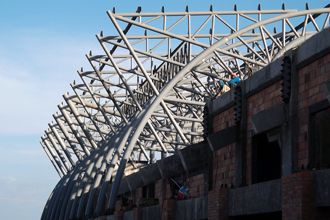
{"x": 42, "y": 44}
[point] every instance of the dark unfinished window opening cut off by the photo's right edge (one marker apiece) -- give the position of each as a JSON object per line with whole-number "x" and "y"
{"x": 320, "y": 139}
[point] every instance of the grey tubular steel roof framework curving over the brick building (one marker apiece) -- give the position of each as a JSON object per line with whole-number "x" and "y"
{"x": 143, "y": 97}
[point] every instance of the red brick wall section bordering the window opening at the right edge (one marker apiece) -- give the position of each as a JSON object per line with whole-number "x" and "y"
{"x": 311, "y": 78}
